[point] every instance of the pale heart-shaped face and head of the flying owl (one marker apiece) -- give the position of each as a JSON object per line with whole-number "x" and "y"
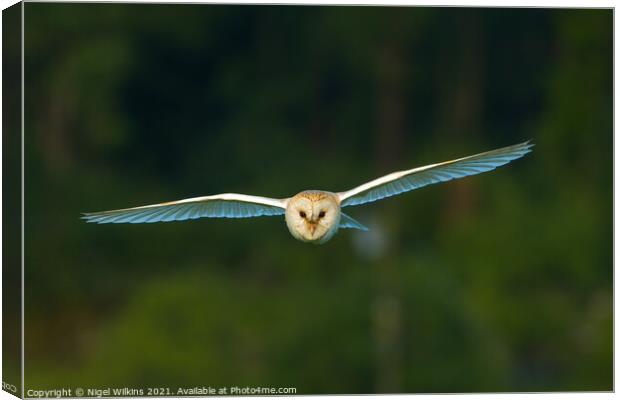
{"x": 313, "y": 216}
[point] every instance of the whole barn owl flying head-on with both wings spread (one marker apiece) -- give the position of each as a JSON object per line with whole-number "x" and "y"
{"x": 313, "y": 216}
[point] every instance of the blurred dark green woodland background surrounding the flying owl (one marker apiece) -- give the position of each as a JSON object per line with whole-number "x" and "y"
{"x": 499, "y": 282}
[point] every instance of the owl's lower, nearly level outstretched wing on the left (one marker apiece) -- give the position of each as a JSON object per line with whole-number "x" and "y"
{"x": 228, "y": 205}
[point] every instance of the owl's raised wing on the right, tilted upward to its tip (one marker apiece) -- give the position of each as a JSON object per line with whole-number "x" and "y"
{"x": 404, "y": 181}
